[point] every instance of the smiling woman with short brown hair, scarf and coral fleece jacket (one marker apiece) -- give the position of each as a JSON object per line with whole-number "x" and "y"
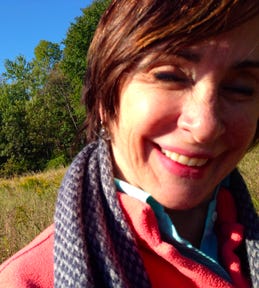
{"x": 172, "y": 96}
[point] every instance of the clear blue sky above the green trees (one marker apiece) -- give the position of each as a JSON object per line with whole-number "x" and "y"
{"x": 23, "y": 23}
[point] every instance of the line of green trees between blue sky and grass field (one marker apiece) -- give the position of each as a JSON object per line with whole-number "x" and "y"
{"x": 40, "y": 111}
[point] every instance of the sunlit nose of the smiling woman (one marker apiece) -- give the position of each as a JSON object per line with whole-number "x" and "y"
{"x": 201, "y": 115}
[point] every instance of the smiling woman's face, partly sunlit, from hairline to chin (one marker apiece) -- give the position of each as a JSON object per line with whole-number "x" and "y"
{"x": 186, "y": 121}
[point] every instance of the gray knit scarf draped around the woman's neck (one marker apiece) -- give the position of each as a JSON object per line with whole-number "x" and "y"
{"x": 94, "y": 246}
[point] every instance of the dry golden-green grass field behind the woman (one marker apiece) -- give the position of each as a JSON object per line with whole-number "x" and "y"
{"x": 27, "y": 203}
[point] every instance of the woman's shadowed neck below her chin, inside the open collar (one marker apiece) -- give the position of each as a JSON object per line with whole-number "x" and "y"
{"x": 190, "y": 223}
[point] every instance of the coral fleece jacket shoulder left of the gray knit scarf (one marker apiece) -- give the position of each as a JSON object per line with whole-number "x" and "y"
{"x": 32, "y": 266}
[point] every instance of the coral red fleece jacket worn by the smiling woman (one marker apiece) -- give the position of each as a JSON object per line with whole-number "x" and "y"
{"x": 166, "y": 267}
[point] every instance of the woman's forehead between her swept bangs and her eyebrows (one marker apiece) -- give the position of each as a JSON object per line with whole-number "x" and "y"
{"x": 227, "y": 50}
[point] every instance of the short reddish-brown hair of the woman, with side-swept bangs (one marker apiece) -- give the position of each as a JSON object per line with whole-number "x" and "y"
{"x": 132, "y": 29}
